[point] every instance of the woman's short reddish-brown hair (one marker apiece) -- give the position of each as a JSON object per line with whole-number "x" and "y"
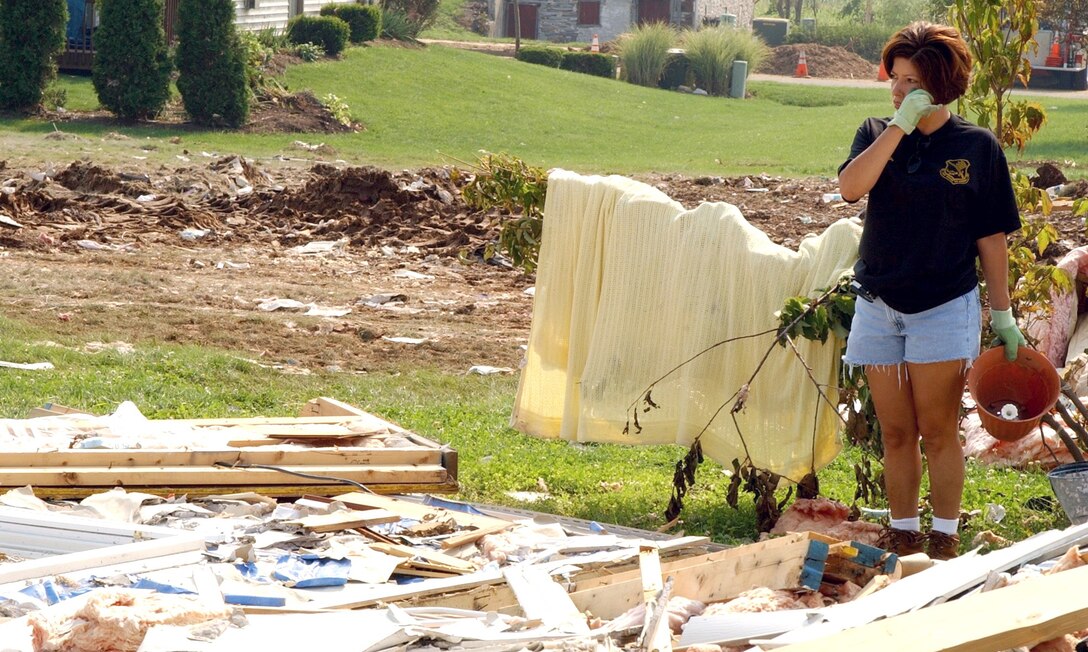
{"x": 938, "y": 53}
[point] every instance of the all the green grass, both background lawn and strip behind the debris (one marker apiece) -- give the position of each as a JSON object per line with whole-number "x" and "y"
{"x": 439, "y": 106}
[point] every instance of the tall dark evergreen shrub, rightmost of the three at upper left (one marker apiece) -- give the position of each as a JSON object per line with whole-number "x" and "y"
{"x": 212, "y": 64}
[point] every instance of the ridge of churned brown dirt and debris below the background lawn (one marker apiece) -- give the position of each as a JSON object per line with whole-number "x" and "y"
{"x": 234, "y": 200}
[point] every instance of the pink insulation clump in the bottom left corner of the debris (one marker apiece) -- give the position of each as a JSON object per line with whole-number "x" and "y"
{"x": 115, "y": 621}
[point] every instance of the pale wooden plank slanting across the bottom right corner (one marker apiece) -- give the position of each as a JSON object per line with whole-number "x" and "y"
{"x": 1022, "y": 616}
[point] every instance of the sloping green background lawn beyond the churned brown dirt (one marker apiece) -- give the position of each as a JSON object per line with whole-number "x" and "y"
{"x": 438, "y": 105}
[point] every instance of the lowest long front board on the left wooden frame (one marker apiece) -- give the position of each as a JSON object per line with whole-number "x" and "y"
{"x": 219, "y": 477}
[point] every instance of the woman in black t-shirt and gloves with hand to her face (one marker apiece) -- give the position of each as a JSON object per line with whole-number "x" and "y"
{"x": 939, "y": 196}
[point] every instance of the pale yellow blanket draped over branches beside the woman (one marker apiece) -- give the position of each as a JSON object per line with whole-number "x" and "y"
{"x": 630, "y": 285}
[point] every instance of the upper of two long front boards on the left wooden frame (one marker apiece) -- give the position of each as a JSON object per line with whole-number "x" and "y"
{"x": 137, "y": 458}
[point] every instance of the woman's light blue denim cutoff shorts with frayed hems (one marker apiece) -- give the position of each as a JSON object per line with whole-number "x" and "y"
{"x": 883, "y": 336}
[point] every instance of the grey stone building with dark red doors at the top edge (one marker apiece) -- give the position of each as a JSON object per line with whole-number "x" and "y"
{"x": 577, "y": 21}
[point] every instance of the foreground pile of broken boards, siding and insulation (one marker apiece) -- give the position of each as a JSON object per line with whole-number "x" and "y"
{"x": 374, "y": 573}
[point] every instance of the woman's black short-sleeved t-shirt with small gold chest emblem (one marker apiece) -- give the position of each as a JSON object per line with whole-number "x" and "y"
{"x": 935, "y": 199}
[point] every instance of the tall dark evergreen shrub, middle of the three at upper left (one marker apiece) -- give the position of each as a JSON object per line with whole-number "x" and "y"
{"x": 132, "y": 69}
